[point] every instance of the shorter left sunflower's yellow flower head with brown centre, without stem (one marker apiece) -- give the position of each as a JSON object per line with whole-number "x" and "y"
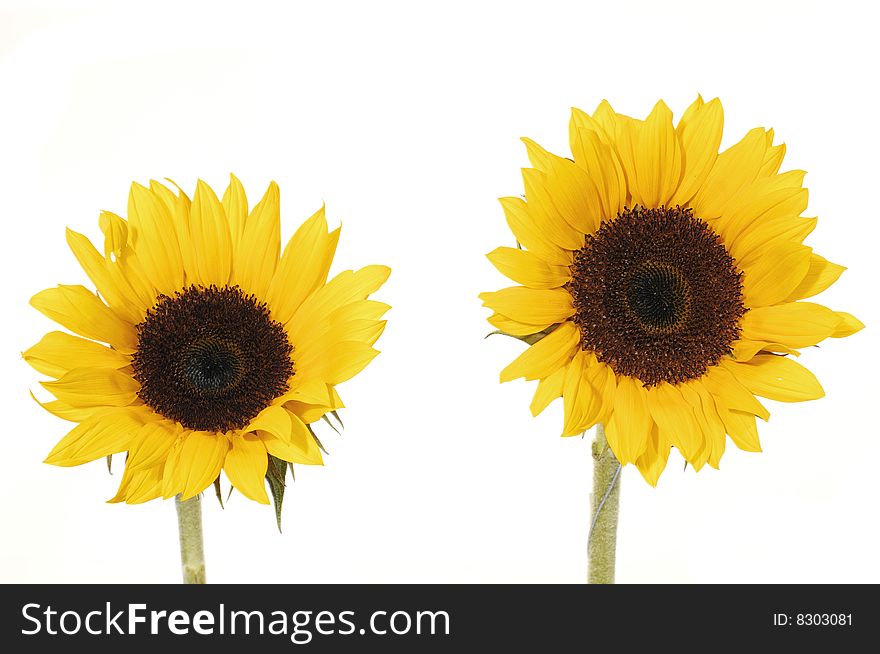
{"x": 206, "y": 349}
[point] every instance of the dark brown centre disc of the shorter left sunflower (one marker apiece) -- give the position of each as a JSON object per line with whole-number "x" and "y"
{"x": 211, "y": 358}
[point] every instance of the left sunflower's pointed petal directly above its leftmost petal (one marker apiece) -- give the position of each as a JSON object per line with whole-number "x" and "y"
{"x": 80, "y": 311}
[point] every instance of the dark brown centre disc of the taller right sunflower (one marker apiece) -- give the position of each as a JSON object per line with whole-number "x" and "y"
{"x": 658, "y": 297}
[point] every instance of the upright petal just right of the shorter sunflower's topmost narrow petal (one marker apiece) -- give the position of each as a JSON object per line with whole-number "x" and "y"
{"x": 257, "y": 257}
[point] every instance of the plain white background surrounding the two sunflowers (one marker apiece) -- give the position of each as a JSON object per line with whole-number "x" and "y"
{"x": 405, "y": 119}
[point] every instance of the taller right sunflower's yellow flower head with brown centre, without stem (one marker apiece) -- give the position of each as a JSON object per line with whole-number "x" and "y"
{"x": 660, "y": 284}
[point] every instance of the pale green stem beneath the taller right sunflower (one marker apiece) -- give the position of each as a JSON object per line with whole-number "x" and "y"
{"x": 605, "y": 504}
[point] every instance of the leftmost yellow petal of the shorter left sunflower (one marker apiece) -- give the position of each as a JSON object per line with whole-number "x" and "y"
{"x": 60, "y": 352}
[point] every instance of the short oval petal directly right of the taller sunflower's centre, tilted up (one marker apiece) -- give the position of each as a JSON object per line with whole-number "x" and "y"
{"x": 773, "y": 277}
